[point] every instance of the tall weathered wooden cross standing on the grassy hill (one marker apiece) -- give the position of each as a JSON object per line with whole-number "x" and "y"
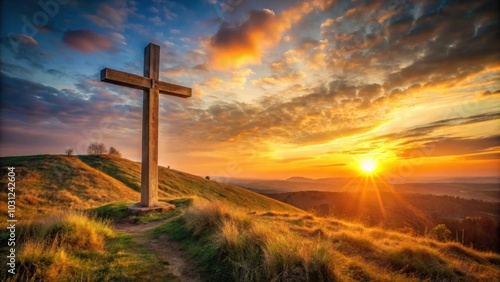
{"x": 152, "y": 86}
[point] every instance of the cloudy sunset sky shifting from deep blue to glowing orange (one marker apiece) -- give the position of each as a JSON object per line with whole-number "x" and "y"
{"x": 280, "y": 88}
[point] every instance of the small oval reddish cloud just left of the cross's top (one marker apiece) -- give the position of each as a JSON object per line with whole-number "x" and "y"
{"x": 86, "y": 41}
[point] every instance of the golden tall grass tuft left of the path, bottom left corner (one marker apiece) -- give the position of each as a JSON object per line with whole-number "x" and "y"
{"x": 55, "y": 248}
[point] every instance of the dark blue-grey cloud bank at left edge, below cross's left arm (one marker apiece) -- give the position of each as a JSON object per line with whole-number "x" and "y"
{"x": 34, "y": 104}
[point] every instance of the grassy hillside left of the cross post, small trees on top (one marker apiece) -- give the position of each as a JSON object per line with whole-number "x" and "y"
{"x": 48, "y": 182}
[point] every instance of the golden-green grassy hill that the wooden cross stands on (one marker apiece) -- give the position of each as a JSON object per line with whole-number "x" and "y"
{"x": 229, "y": 233}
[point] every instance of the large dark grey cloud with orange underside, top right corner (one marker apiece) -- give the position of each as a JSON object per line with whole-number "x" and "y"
{"x": 431, "y": 43}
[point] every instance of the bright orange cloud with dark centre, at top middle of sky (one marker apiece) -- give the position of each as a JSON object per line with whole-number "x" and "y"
{"x": 234, "y": 46}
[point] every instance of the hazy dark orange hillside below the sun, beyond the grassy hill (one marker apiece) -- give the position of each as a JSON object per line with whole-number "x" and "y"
{"x": 473, "y": 222}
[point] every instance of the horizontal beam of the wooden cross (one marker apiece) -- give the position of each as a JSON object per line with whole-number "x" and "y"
{"x": 140, "y": 82}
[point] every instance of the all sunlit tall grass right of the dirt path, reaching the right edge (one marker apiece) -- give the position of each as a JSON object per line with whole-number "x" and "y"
{"x": 298, "y": 247}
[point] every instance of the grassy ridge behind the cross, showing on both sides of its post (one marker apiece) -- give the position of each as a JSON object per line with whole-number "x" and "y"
{"x": 46, "y": 182}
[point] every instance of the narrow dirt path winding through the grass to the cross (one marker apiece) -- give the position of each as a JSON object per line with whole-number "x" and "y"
{"x": 165, "y": 248}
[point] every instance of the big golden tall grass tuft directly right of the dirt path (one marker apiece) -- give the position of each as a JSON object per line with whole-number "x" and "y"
{"x": 255, "y": 252}
